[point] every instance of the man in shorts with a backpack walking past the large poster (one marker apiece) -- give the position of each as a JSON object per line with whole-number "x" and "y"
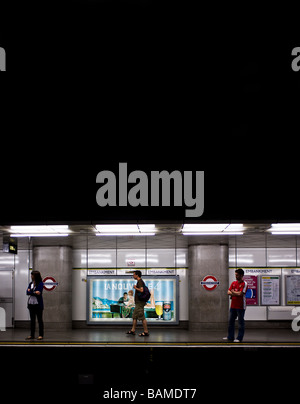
{"x": 138, "y": 313}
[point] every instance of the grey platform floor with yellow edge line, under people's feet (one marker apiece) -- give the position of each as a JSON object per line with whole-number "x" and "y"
{"x": 158, "y": 337}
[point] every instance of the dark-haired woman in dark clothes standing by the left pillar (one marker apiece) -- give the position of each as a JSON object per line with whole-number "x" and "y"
{"x": 35, "y": 304}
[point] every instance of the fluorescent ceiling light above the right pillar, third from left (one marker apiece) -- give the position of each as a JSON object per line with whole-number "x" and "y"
{"x": 213, "y": 229}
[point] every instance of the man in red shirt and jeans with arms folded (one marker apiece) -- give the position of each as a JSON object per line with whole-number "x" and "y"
{"x": 237, "y": 293}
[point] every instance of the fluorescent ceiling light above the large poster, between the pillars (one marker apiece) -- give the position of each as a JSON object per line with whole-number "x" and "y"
{"x": 125, "y": 230}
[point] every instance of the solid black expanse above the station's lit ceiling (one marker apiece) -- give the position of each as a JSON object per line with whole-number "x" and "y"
{"x": 160, "y": 85}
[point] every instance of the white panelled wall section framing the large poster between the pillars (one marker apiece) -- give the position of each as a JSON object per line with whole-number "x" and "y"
{"x": 124, "y": 261}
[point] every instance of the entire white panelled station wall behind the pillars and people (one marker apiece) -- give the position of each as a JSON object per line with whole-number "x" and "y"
{"x": 124, "y": 260}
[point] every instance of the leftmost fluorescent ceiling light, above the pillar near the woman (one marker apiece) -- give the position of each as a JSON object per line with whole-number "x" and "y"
{"x": 40, "y": 231}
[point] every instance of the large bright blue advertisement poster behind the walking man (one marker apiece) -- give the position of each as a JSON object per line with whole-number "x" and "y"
{"x": 111, "y": 299}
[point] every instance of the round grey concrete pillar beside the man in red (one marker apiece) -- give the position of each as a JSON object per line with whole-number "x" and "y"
{"x": 208, "y": 310}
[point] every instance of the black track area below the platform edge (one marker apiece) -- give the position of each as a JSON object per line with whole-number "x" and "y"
{"x": 63, "y": 369}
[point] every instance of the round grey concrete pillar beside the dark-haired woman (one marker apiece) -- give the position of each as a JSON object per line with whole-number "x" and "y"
{"x": 56, "y": 261}
